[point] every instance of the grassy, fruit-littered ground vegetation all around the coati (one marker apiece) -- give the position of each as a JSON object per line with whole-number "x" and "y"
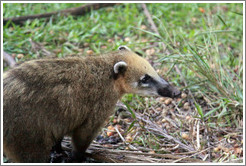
{"x": 199, "y": 48}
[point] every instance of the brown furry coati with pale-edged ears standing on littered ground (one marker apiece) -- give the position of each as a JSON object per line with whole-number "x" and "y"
{"x": 46, "y": 99}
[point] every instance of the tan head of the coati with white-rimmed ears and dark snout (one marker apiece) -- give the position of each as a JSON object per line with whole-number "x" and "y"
{"x": 133, "y": 74}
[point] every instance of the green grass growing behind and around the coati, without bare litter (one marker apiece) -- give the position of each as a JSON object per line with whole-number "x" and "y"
{"x": 204, "y": 40}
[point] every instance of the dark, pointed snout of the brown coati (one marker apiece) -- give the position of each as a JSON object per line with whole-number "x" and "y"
{"x": 166, "y": 90}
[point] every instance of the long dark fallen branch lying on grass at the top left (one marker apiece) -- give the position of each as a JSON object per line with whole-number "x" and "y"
{"x": 71, "y": 11}
